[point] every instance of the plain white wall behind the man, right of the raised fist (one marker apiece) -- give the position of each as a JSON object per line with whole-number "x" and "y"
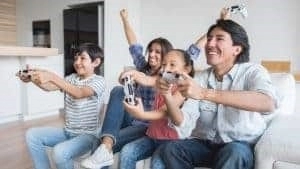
{"x": 272, "y": 25}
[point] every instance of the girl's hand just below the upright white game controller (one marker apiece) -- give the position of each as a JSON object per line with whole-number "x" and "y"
{"x": 137, "y": 110}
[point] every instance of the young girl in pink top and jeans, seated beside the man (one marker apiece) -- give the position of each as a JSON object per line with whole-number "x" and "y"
{"x": 168, "y": 121}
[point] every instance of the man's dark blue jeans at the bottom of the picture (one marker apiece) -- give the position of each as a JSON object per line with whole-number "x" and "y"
{"x": 187, "y": 154}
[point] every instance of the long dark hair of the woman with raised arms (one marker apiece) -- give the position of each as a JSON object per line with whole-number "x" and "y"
{"x": 166, "y": 46}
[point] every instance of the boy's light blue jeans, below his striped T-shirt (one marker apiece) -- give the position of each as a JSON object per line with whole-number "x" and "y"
{"x": 66, "y": 146}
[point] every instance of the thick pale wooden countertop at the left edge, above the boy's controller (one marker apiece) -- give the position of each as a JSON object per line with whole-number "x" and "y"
{"x": 27, "y": 51}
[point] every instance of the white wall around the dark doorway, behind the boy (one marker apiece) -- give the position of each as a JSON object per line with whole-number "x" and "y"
{"x": 115, "y": 44}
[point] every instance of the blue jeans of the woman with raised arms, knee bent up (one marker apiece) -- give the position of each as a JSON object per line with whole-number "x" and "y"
{"x": 118, "y": 124}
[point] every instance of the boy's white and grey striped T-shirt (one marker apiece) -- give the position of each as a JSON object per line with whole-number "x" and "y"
{"x": 82, "y": 115}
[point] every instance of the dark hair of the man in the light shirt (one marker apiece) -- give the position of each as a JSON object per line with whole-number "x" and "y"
{"x": 238, "y": 35}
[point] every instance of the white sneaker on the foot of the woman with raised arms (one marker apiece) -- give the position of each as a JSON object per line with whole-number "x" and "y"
{"x": 100, "y": 158}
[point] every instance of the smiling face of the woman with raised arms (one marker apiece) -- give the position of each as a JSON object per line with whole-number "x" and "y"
{"x": 155, "y": 56}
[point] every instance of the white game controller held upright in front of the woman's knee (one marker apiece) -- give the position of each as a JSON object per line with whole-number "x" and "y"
{"x": 129, "y": 90}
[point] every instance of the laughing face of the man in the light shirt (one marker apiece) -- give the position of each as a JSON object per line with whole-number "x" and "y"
{"x": 219, "y": 48}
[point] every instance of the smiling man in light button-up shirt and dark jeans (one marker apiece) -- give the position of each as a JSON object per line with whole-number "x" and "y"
{"x": 235, "y": 97}
